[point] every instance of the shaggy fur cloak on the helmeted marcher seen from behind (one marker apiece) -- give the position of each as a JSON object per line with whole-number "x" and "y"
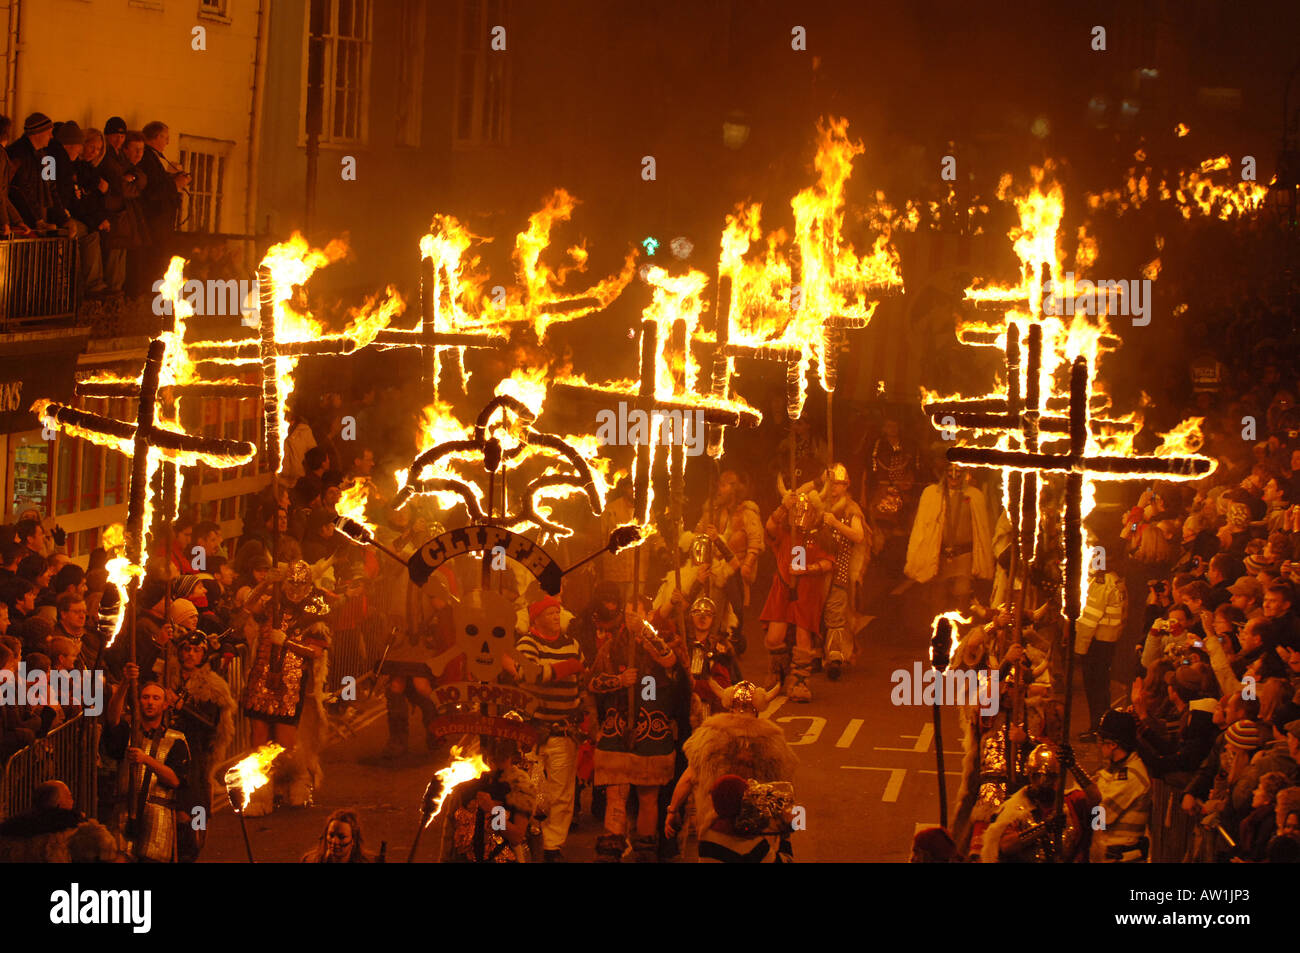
{"x": 727, "y": 744}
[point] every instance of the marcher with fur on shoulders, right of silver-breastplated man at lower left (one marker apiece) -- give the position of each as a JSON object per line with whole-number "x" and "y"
{"x": 205, "y": 713}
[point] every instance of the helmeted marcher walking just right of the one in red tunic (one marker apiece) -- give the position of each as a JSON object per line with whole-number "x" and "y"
{"x": 851, "y": 551}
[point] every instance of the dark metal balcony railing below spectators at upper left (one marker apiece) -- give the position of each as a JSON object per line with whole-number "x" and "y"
{"x": 40, "y": 280}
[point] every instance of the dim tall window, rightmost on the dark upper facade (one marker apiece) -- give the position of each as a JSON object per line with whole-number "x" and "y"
{"x": 483, "y": 77}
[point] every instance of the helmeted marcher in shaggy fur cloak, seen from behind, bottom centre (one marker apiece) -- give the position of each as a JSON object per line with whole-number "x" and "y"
{"x": 740, "y": 770}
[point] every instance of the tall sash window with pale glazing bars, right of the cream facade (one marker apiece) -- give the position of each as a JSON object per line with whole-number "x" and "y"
{"x": 339, "y": 47}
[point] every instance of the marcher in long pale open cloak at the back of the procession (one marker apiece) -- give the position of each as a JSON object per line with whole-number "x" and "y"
{"x": 951, "y": 544}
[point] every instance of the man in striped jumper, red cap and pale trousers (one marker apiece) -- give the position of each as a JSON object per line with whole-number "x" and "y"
{"x": 552, "y": 669}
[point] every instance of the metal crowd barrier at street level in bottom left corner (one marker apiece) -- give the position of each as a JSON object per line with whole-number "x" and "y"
{"x": 68, "y": 755}
